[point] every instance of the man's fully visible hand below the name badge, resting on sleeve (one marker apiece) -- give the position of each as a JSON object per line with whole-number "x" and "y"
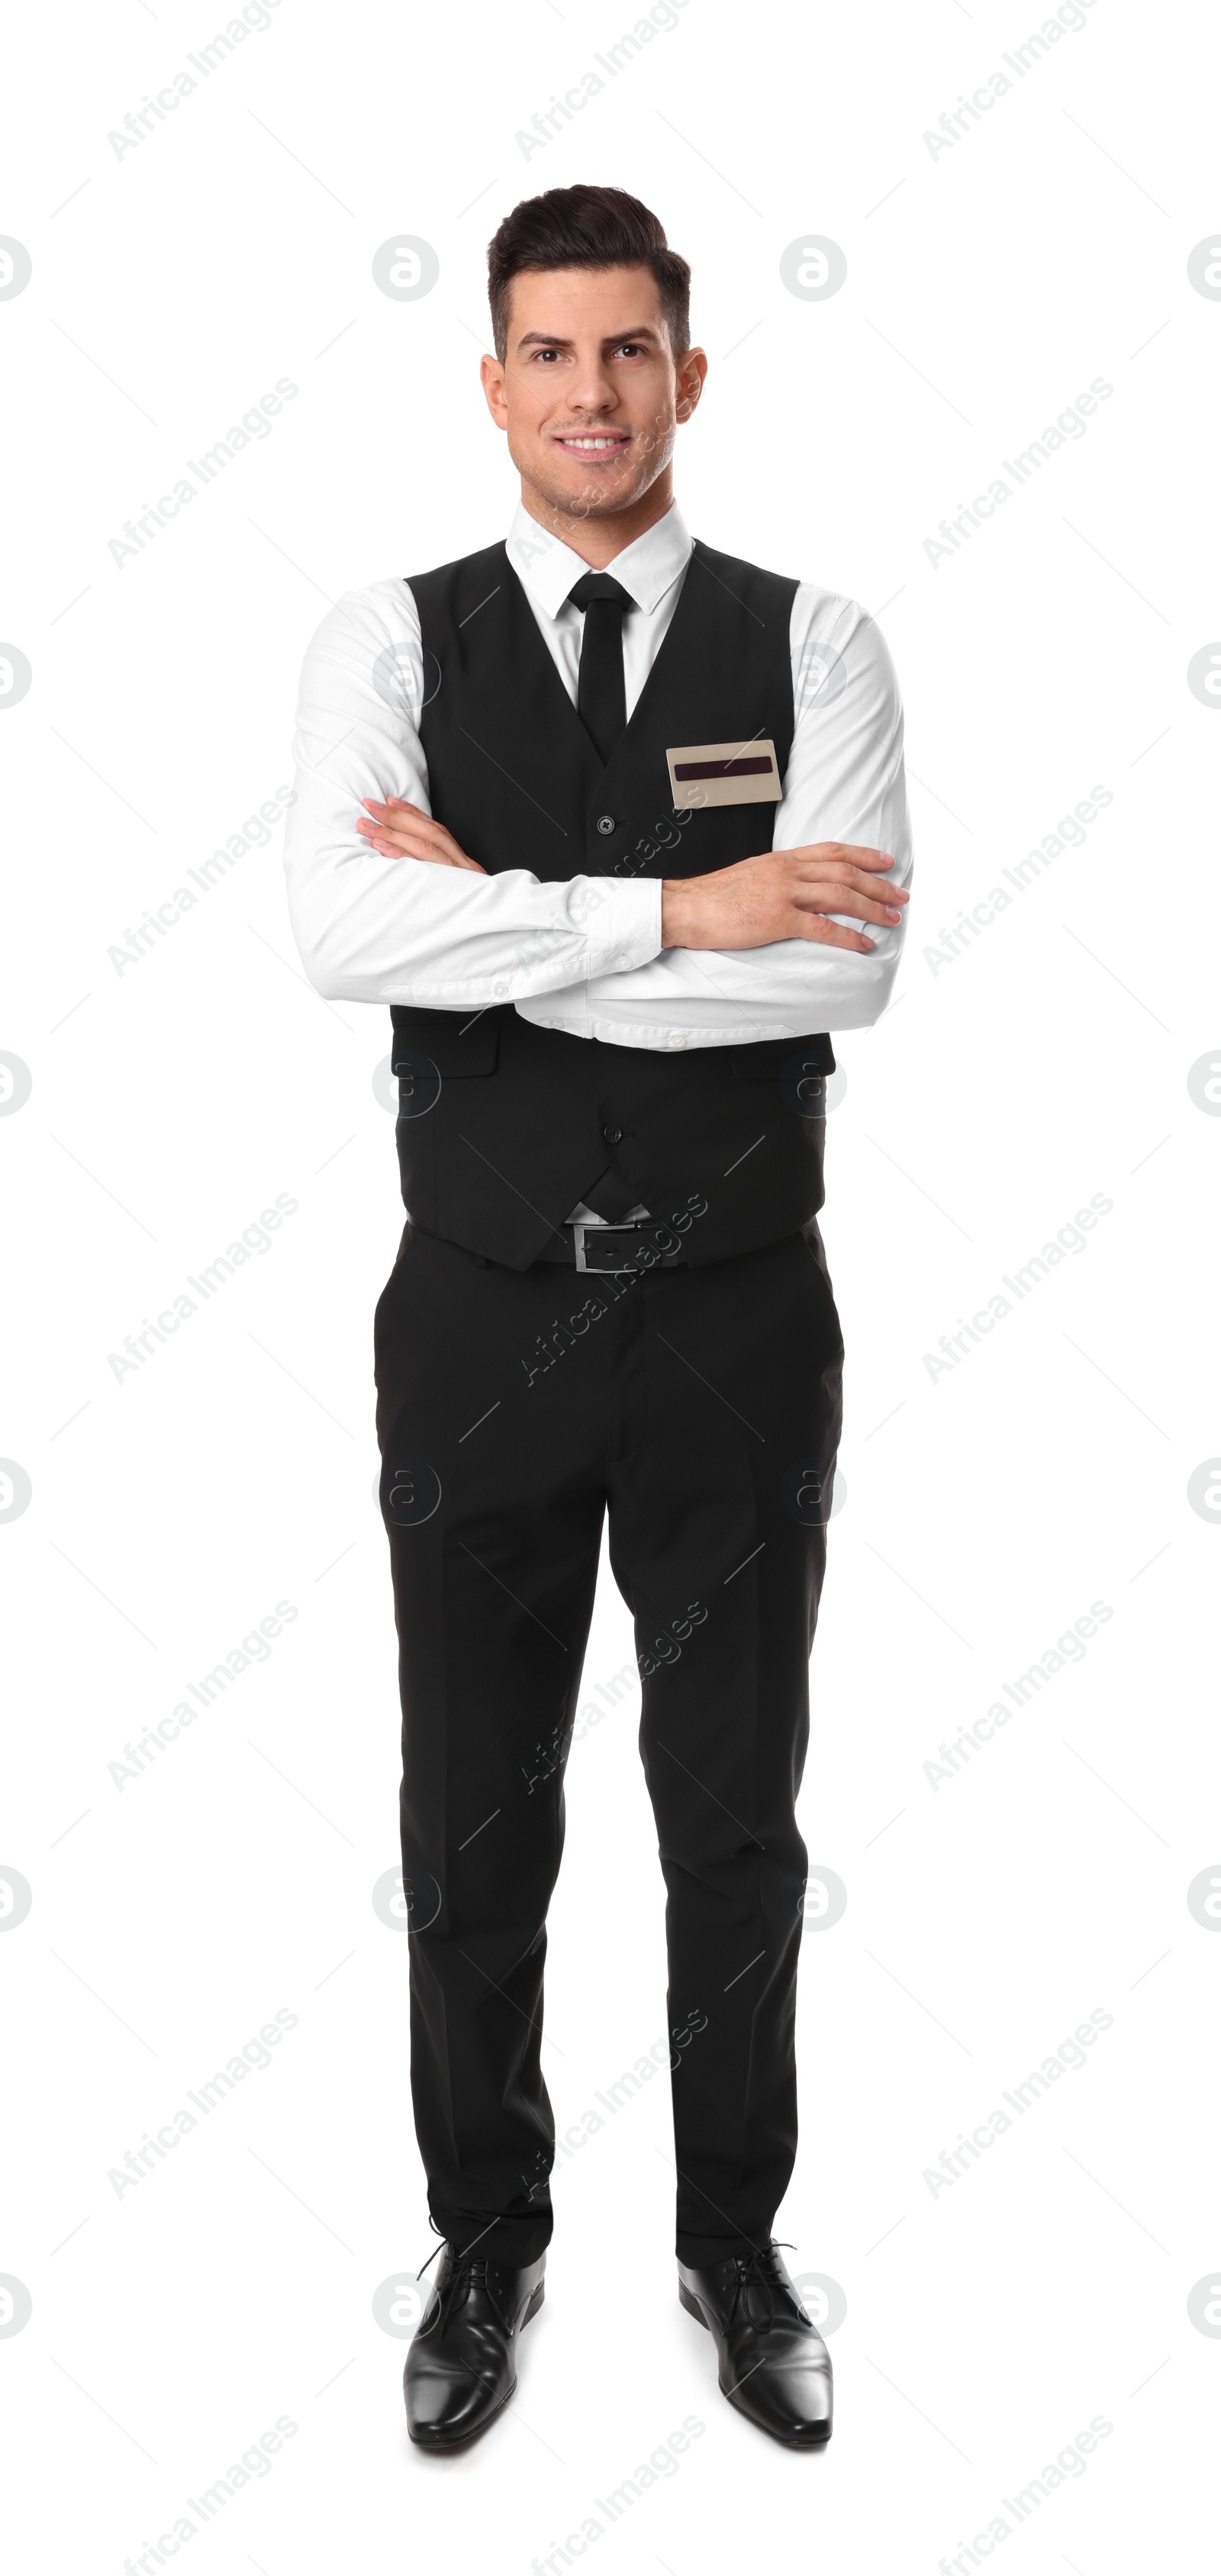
{"x": 784, "y": 895}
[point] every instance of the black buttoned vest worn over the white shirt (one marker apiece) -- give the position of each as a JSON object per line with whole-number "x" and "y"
{"x": 504, "y": 1127}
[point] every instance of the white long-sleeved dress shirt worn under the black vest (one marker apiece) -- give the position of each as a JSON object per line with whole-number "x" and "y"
{"x": 583, "y": 954}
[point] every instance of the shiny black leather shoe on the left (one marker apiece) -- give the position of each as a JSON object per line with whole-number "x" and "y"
{"x": 462, "y": 2363}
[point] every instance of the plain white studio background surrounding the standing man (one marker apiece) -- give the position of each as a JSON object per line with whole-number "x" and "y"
{"x": 988, "y": 1508}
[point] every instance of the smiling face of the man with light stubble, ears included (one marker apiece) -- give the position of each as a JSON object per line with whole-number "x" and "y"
{"x": 591, "y": 393}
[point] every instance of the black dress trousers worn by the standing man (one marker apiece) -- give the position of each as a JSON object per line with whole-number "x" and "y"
{"x": 699, "y": 1408}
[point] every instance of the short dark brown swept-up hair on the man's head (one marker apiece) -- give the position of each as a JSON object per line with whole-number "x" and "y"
{"x": 586, "y": 228}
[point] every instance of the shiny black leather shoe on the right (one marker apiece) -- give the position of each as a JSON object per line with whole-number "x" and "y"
{"x": 771, "y": 2361}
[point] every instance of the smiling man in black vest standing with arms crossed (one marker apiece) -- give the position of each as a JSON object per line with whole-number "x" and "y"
{"x": 563, "y": 805}
